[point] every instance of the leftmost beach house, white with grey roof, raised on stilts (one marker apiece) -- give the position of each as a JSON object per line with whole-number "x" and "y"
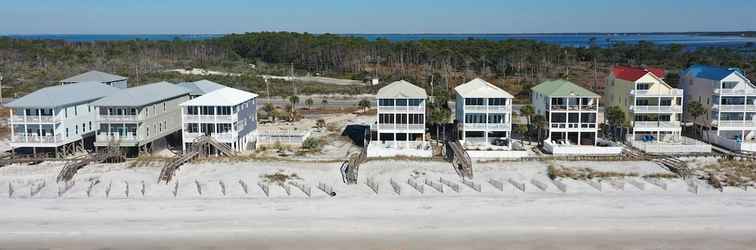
{"x": 51, "y": 119}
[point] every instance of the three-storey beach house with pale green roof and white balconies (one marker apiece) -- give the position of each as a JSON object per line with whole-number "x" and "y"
{"x": 571, "y": 114}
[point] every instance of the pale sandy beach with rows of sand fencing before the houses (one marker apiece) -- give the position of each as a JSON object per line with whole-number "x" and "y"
{"x": 357, "y": 218}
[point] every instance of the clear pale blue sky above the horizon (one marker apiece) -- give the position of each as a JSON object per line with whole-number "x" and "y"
{"x": 372, "y": 16}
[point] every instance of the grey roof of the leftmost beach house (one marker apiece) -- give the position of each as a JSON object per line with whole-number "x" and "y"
{"x": 63, "y": 95}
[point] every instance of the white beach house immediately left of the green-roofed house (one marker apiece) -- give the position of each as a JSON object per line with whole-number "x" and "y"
{"x": 484, "y": 116}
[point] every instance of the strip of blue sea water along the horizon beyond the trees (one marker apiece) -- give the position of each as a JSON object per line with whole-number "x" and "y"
{"x": 573, "y": 40}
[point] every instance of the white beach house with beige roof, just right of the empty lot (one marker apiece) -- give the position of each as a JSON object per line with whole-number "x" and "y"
{"x": 400, "y": 125}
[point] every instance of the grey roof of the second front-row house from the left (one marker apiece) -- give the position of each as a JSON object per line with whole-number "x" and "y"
{"x": 143, "y": 95}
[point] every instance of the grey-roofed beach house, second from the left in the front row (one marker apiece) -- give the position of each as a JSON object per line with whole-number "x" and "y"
{"x": 138, "y": 119}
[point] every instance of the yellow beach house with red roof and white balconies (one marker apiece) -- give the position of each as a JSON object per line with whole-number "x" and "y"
{"x": 653, "y": 109}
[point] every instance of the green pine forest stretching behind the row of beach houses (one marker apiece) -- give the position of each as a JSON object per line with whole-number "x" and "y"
{"x": 515, "y": 65}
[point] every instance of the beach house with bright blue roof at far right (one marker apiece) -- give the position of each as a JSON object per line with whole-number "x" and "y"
{"x": 729, "y": 99}
